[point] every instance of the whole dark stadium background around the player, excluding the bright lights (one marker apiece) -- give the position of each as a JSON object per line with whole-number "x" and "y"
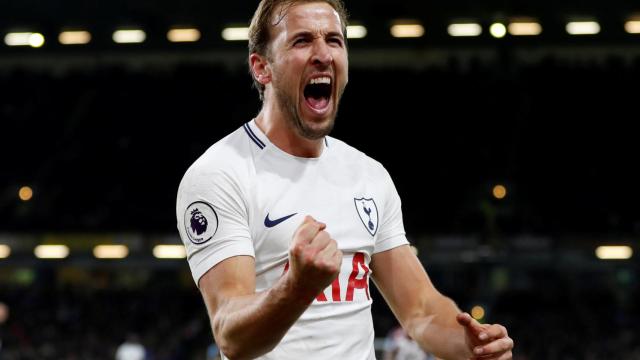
{"x": 101, "y": 134}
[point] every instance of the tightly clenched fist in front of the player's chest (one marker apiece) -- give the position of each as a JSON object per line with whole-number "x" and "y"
{"x": 314, "y": 258}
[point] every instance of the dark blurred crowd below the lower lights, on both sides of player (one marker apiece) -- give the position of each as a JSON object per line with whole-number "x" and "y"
{"x": 581, "y": 319}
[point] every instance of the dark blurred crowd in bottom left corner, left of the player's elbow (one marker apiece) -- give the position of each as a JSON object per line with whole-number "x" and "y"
{"x": 80, "y": 324}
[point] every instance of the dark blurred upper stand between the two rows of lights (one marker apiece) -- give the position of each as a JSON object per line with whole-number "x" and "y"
{"x": 94, "y": 142}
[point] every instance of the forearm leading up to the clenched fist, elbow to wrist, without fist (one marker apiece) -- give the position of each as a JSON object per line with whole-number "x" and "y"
{"x": 252, "y": 325}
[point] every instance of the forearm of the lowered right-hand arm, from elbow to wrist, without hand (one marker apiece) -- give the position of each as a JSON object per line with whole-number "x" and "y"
{"x": 439, "y": 333}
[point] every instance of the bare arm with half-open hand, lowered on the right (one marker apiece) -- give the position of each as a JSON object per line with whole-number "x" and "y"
{"x": 429, "y": 317}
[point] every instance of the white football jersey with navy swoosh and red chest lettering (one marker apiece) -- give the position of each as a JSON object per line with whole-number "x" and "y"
{"x": 245, "y": 196}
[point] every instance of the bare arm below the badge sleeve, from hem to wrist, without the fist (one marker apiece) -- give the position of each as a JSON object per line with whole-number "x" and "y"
{"x": 239, "y": 316}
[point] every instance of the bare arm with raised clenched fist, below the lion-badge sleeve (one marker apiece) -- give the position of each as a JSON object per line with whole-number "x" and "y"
{"x": 247, "y": 324}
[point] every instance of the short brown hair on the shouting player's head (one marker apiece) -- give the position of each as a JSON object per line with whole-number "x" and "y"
{"x": 259, "y": 35}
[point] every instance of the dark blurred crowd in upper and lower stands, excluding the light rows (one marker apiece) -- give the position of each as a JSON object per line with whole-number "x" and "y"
{"x": 105, "y": 150}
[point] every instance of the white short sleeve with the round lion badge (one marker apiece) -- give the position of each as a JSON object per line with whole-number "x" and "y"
{"x": 212, "y": 220}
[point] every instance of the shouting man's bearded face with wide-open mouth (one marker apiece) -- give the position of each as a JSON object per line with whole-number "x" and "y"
{"x": 308, "y": 57}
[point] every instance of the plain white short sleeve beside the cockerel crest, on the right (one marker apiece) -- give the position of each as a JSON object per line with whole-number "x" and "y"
{"x": 391, "y": 233}
